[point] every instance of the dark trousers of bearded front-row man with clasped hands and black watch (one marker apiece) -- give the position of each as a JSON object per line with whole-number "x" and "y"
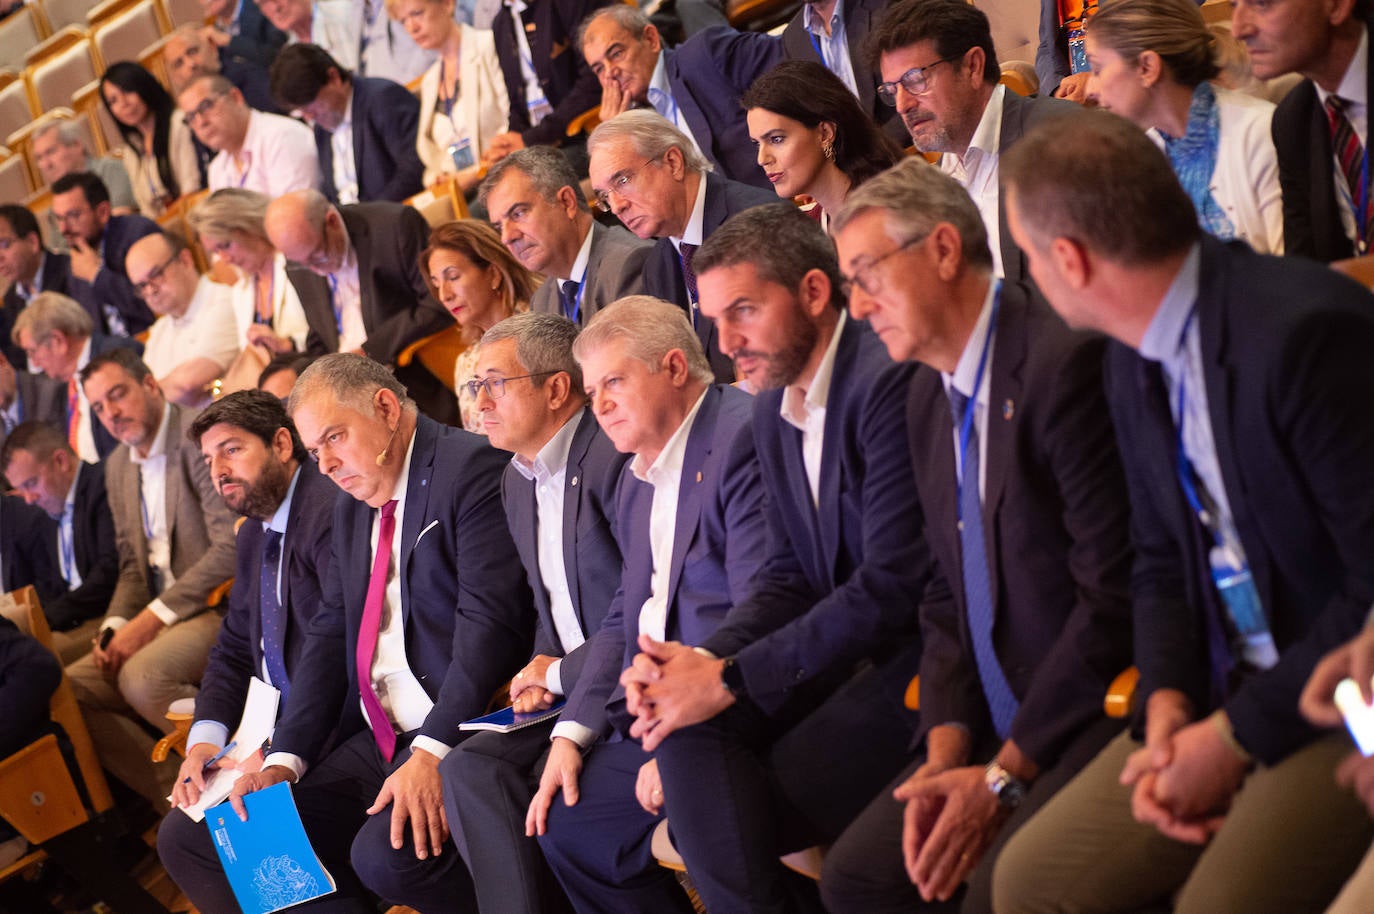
{"x": 744, "y": 788}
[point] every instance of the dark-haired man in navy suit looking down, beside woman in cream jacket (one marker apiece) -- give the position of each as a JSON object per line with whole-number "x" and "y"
{"x": 365, "y": 127}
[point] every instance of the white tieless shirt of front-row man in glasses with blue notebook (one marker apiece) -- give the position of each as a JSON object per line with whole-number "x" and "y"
{"x": 549, "y": 473}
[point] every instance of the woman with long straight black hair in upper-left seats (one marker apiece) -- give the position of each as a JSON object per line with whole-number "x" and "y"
{"x": 163, "y": 163}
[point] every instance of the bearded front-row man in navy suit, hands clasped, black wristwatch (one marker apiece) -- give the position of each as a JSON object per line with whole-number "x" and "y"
{"x": 767, "y": 711}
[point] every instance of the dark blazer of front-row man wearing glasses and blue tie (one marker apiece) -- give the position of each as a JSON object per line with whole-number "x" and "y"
{"x": 1056, "y": 519}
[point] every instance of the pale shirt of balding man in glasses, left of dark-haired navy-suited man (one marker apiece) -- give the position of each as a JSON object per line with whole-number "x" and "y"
{"x": 278, "y": 157}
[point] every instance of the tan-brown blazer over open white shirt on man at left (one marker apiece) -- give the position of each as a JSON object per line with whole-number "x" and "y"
{"x": 200, "y": 527}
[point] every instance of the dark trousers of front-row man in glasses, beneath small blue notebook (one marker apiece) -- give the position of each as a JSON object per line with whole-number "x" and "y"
{"x": 488, "y": 784}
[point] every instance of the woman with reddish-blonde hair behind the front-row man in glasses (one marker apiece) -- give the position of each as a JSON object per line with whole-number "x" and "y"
{"x": 480, "y": 282}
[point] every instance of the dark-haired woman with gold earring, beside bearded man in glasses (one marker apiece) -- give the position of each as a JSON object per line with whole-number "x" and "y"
{"x": 813, "y": 137}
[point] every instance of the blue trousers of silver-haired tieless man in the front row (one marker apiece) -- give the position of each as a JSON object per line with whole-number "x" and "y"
{"x": 600, "y": 849}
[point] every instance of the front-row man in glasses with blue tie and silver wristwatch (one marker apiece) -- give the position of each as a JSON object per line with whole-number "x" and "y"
{"x": 1026, "y": 625}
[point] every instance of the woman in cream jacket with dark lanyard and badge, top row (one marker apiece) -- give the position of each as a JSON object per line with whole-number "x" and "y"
{"x": 464, "y": 101}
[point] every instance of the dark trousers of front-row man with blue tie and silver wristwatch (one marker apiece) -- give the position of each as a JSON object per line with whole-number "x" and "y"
{"x": 865, "y": 872}
